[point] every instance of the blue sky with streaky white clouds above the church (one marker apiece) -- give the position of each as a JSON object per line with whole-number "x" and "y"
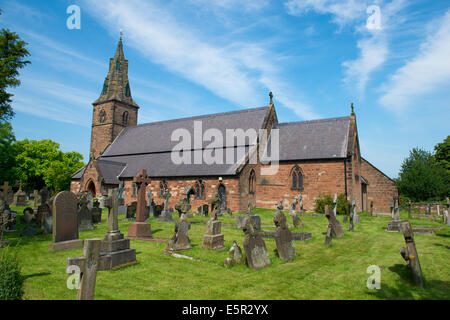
{"x": 196, "y": 57}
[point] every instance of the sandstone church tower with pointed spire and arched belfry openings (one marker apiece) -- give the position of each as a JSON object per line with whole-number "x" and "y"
{"x": 115, "y": 108}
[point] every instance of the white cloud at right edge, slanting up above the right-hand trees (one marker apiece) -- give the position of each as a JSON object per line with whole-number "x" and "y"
{"x": 429, "y": 70}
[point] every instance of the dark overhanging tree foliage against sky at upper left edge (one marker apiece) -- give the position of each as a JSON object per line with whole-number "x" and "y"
{"x": 12, "y": 55}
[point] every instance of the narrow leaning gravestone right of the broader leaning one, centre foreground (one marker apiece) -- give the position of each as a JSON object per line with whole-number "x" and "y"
{"x": 283, "y": 237}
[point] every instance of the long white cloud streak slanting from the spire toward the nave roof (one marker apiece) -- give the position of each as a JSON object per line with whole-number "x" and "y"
{"x": 234, "y": 72}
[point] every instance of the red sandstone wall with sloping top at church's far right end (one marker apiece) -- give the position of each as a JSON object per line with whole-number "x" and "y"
{"x": 380, "y": 188}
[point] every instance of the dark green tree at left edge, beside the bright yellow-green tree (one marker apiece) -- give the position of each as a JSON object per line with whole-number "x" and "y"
{"x": 7, "y": 156}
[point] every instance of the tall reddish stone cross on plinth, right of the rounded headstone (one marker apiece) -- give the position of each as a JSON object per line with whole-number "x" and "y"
{"x": 140, "y": 229}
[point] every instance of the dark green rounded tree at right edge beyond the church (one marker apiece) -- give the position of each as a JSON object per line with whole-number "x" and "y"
{"x": 422, "y": 178}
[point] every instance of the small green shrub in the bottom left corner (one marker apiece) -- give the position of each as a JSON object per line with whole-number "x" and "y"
{"x": 11, "y": 279}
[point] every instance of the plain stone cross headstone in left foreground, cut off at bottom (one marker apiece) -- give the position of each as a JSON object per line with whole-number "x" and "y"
{"x": 88, "y": 266}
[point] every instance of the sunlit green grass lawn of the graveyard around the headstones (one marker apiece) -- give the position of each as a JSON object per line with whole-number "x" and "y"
{"x": 318, "y": 272}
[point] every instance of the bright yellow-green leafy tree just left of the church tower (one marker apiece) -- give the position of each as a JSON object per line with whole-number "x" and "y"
{"x": 39, "y": 162}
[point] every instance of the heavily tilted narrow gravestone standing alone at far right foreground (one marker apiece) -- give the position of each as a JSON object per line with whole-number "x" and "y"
{"x": 409, "y": 253}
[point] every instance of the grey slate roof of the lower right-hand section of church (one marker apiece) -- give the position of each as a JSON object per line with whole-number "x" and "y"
{"x": 317, "y": 139}
